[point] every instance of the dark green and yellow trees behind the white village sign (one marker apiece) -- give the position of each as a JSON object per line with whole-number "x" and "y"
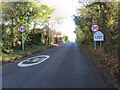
{"x": 105, "y": 14}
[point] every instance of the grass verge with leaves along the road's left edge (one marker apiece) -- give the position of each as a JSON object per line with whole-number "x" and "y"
{"x": 19, "y": 54}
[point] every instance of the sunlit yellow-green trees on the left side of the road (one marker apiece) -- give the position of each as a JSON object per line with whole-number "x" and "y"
{"x": 15, "y": 14}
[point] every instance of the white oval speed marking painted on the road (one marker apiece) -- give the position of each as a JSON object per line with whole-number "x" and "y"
{"x": 33, "y": 60}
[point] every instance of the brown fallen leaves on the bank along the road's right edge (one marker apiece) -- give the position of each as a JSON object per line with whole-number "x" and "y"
{"x": 106, "y": 63}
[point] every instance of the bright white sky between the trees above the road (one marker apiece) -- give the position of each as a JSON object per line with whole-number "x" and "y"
{"x": 65, "y": 8}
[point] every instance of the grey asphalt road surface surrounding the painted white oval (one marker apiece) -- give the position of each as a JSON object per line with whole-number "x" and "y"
{"x": 67, "y": 67}
